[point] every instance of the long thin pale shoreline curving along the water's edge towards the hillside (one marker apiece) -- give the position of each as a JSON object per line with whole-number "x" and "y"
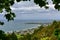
{"x": 27, "y": 30}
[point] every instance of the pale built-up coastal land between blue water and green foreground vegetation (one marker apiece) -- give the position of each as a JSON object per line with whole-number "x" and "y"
{"x": 25, "y": 31}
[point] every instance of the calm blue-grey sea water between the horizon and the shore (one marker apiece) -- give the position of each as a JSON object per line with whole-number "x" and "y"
{"x": 21, "y": 24}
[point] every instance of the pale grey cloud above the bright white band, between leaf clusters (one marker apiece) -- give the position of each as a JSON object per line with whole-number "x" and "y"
{"x": 24, "y": 4}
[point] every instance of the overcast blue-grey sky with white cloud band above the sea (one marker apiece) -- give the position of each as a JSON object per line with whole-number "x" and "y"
{"x": 28, "y": 10}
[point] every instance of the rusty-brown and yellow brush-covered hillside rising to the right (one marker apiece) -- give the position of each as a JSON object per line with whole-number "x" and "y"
{"x": 49, "y": 32}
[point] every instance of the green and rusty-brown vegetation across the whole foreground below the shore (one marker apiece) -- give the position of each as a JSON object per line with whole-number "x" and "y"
{"x": 49, "y": 32}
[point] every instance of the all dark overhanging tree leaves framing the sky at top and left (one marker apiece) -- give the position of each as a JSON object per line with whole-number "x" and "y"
{"x": 5, "y": 4}
